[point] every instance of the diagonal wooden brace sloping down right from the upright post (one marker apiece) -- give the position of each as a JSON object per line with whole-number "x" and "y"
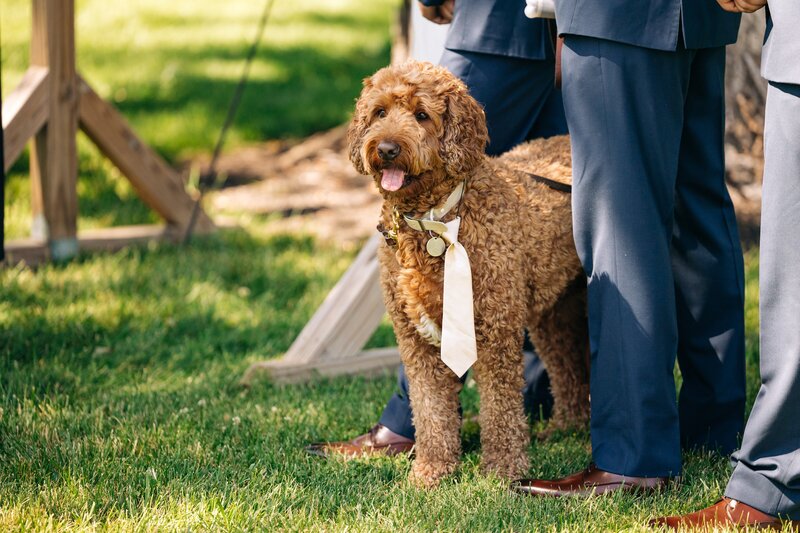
{"x": 156, "y": 182}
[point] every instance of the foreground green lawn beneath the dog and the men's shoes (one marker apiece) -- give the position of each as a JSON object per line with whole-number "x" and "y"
{"x": 119, "y": 407}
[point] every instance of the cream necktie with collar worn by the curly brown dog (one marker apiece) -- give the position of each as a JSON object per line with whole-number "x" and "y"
{"x": 458, "y": 347}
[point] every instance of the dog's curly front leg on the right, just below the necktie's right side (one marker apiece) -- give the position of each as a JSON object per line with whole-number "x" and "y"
{"x": 504, "y": 427}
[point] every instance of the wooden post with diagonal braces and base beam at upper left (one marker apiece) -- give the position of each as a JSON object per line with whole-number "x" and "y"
{"x": 49, "y": 105}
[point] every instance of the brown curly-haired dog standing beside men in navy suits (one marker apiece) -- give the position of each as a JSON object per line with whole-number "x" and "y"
{"x": 417, "y": 131}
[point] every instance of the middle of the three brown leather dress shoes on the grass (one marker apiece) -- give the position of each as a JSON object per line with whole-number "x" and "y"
{"x": 588, "y": 482}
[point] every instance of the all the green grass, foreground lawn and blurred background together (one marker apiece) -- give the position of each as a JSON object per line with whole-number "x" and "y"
{"x": 119, "y": 404}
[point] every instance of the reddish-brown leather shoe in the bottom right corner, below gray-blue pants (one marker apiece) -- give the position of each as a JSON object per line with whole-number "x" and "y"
{"x": 724, "y": 514}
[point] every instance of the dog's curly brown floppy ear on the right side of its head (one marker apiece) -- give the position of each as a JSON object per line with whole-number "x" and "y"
{"x": 465, "y": 135}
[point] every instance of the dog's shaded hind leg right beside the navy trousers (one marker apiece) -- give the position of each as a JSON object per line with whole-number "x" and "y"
{"x": 560, "y": 335}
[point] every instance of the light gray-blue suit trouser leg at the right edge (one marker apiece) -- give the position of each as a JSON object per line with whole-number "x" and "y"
{"x": 767, "y": 467}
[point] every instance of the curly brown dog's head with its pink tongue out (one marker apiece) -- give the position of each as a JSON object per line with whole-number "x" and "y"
{"x": 415, "y": 125}
